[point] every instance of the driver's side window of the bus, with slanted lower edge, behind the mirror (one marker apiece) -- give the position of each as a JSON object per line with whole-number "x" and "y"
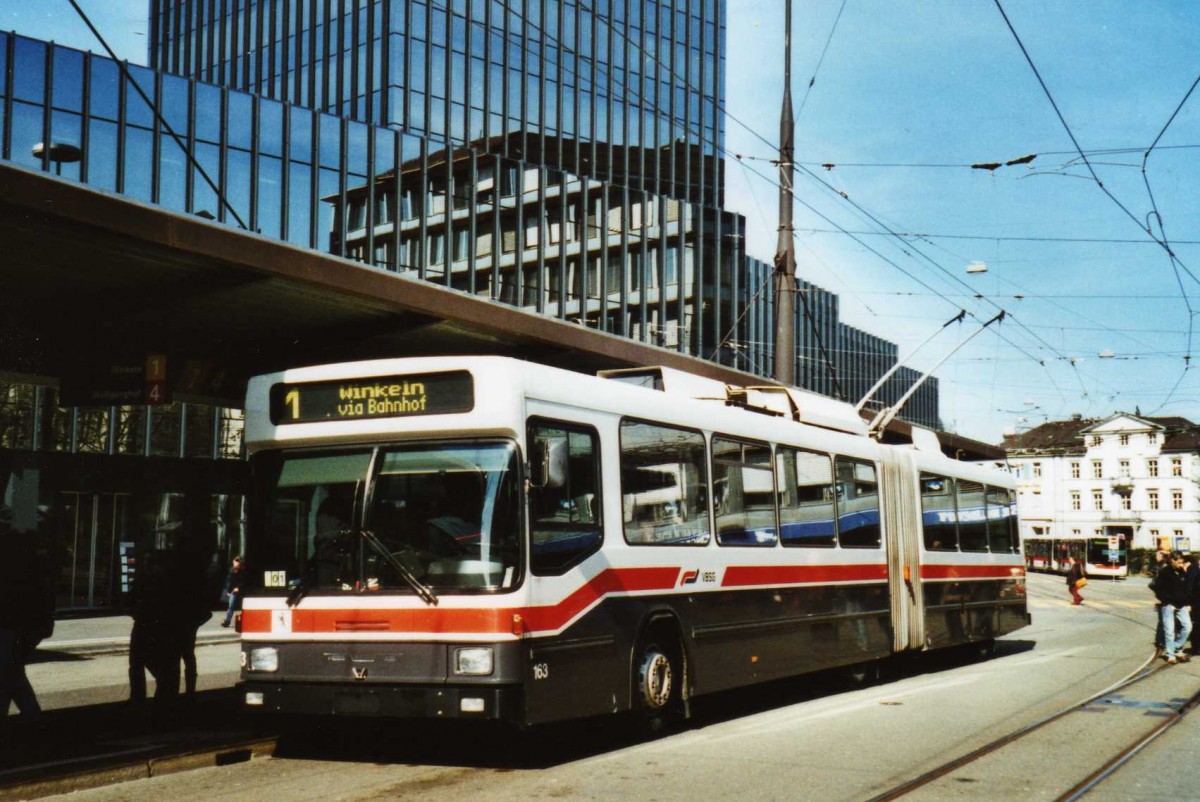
{"x": 565, "y": 517}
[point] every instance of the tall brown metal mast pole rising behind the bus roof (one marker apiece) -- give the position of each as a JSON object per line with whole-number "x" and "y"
{"x": 785, "y": 253}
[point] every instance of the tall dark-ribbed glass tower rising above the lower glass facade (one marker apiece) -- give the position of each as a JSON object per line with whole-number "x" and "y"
{"x": 617, "y": 91}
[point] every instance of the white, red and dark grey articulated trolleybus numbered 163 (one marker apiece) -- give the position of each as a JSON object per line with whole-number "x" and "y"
{"x": 489, "y": 538}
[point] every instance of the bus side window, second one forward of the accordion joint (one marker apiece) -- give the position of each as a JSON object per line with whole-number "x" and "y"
{"x": 806, "y": 505}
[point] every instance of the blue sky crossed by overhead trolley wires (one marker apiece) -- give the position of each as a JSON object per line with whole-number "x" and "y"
{"x": 907, "y": 98}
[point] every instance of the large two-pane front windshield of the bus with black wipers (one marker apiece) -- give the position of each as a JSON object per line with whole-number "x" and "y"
{"x": 346, "y": 522}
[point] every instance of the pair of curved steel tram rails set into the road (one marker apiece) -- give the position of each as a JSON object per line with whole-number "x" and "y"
{"x": 1145, "y": 672}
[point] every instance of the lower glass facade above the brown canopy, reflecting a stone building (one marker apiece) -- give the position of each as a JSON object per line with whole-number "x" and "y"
{"x": 653, "y": 267}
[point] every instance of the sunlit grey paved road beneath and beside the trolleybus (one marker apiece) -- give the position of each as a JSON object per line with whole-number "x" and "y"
{"x": 789, "y": 741}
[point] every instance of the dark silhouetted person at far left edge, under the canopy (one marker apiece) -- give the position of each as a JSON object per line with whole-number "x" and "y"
{"x": 27, "y": 617}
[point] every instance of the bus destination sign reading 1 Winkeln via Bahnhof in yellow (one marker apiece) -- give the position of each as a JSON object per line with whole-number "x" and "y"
{"x": 379, "y": 397}
